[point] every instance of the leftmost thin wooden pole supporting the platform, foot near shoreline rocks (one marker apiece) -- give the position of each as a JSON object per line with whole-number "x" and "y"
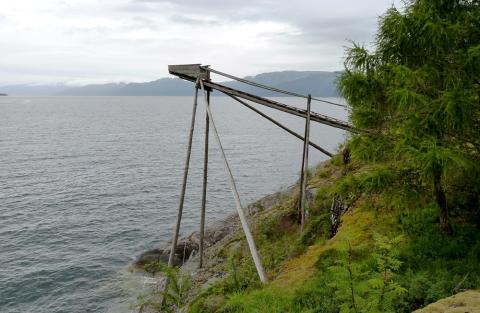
{"x": 184, "y": 183}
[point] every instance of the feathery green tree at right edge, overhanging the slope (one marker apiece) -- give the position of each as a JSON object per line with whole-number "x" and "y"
{"x": 418, "y": 93}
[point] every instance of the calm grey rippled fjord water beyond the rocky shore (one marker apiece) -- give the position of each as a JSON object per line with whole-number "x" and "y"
{"x": 88, "y": 183}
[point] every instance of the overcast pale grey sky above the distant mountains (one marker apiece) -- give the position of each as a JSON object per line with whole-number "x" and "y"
{"x": 94, "y": 41}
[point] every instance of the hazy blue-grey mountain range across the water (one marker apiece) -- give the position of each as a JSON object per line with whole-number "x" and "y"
{"x": 318, "y": 83}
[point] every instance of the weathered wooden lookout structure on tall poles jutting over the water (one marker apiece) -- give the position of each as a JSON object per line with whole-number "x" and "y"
{"x": 201, "y": 77}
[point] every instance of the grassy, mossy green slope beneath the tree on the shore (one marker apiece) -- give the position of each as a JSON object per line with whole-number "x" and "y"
{"x": 309, "y": 272}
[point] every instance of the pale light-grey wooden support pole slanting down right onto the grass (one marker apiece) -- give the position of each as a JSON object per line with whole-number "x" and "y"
{"x": 241, "y": 214}
